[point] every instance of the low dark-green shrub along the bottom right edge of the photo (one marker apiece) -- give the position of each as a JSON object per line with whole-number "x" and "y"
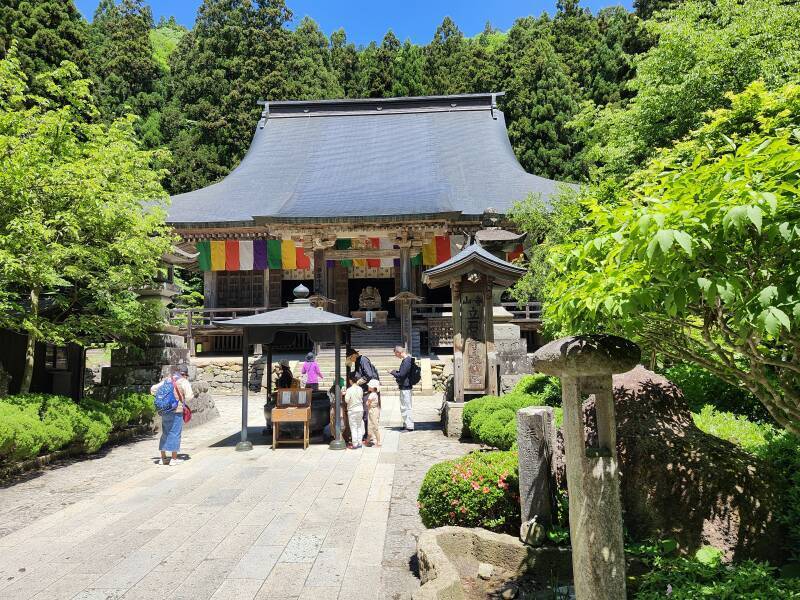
{"x": 689, "y": 579}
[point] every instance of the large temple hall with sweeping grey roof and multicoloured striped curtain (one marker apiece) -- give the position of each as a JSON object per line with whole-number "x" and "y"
{"x": 345, "y": 195}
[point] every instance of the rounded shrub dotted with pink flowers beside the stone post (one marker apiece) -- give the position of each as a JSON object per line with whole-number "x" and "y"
{"x": 480, "y": 489}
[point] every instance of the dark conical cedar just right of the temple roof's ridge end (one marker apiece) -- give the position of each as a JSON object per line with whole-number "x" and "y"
{"x": 541, "y": 100}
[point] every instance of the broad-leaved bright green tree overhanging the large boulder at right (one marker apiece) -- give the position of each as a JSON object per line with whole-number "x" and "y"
{"x": 698, "y": 256}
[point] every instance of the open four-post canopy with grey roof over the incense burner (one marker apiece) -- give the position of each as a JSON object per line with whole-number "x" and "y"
{"x": 298, "y": 317}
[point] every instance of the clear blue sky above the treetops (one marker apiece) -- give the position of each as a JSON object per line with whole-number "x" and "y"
{"x": 366, "y": 20}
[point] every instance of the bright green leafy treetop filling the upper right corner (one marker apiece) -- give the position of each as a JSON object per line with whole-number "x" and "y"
{"x": 704, "y": 50}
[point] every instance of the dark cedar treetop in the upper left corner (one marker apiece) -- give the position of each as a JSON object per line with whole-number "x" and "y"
{"x": 47, "y": 32}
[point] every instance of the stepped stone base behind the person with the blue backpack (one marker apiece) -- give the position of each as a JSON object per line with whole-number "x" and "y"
{"x": 137, "y": 369}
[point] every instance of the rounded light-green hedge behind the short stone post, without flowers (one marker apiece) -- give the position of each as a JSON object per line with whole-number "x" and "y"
{"x": 491, "y": 420}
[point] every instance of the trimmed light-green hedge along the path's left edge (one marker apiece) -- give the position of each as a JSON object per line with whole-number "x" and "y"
{"x": 34, "y": 424}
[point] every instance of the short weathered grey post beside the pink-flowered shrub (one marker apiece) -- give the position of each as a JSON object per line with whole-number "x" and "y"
{"x": 536, "y": 439}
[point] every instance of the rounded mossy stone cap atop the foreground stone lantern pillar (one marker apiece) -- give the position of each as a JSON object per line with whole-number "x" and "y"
{"x": 587, "y": 355}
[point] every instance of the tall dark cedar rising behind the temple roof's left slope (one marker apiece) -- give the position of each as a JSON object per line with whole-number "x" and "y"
{"x": 236, "y": 55}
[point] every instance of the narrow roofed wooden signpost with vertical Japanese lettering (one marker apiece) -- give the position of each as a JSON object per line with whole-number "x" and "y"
{"x": 472, "y": 275}
